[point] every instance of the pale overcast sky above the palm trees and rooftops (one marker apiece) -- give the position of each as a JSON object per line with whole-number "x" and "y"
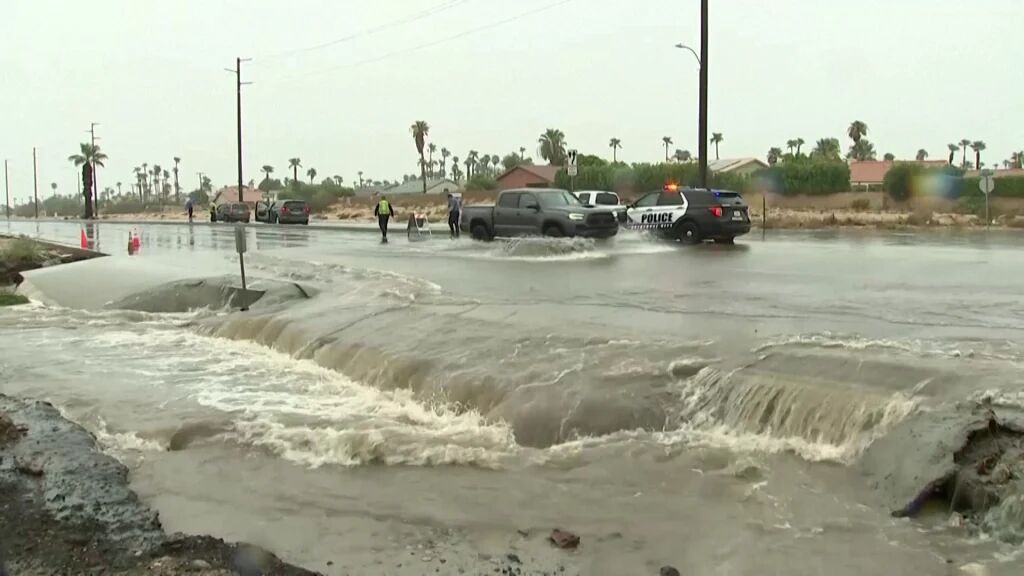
{"x": 921, "y": 74}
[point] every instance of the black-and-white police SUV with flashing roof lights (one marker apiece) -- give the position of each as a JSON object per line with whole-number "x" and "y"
{"x": 691, "y": 216}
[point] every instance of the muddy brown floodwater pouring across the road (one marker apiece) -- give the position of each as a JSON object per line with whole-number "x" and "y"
{"x": 704, "y": 407}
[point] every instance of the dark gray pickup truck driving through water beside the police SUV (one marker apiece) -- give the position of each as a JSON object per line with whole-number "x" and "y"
{"x": 539, "y": 212}
